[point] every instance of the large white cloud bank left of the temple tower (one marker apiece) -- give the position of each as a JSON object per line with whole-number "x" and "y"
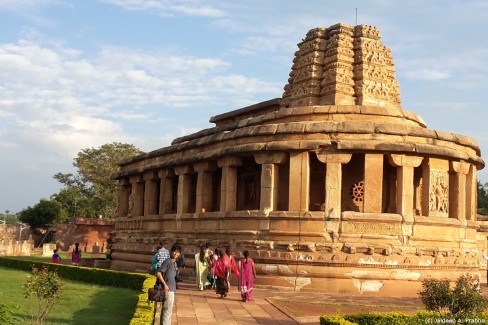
{"x": 58, "y": 99}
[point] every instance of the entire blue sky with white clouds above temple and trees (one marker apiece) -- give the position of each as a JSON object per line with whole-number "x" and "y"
{"x": 78, "y": 74}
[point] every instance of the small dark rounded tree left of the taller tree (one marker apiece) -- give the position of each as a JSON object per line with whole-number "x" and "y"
{"x": 45, "y": 214}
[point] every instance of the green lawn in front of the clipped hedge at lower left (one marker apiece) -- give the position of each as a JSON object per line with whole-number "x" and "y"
{"x": 81, "y": 303}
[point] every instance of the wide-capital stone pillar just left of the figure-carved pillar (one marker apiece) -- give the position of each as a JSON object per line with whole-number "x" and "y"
{"x": 405, "y": 187}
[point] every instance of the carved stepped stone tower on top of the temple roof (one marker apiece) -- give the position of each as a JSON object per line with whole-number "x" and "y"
{"x": 342, "y": 65}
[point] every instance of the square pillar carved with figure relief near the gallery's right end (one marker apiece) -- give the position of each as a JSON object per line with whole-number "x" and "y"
{"x": 435, "y": 187}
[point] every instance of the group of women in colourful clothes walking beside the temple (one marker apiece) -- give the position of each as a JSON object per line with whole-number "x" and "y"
{"x": 214, "y": 270}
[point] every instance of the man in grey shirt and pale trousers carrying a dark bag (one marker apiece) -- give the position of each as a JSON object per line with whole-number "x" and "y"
{"x": 166, "y": 279}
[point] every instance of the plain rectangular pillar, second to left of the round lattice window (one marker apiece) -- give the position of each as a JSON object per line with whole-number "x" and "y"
{"x": 299, "y": 187}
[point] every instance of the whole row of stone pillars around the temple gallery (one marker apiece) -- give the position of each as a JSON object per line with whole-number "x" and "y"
{"x": 153, "y": 193}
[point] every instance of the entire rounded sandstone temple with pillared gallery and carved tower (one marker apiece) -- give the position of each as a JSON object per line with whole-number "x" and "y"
{"x": 332, "y": 187}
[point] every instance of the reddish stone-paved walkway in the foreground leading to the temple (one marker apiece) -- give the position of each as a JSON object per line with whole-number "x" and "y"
{"x": 205, "y": 307}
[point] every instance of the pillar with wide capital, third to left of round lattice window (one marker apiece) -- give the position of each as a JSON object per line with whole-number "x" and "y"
{"x": 269, "y": 179}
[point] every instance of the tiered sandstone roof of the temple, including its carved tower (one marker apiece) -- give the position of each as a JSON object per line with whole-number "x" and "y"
{"x": 342, "y": 96}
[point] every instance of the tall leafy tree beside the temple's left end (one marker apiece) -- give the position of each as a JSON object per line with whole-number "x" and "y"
{"x": 92, "y": 187}
